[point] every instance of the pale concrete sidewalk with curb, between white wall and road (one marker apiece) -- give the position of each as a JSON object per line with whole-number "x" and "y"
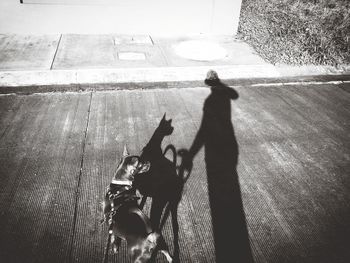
{"x": 27, "y": 60}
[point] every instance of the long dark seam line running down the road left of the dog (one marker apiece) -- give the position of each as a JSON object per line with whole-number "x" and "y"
{"x": 77, "y": 191}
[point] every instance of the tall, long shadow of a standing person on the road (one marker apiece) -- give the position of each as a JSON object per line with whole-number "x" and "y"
{"x": 217, "y": 135}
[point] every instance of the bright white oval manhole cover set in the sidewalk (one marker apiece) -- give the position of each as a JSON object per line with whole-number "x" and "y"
{"x": 200, "y": 50}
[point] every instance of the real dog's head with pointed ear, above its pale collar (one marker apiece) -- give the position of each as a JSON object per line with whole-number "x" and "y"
{"x": 129, "y": 167}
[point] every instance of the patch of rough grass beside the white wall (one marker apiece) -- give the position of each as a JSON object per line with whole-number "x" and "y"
{"x": 298, "y": 32}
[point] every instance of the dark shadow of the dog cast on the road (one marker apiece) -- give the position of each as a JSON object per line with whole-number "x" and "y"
{"x": 163, "y": 183}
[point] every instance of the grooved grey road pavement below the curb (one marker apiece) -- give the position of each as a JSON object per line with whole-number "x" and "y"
{"x": 270, "y": 179}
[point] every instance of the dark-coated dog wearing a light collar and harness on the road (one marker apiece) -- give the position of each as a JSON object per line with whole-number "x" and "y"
{"x": 125, "y": 219}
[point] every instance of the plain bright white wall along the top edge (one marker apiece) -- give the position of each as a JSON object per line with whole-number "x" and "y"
{"x": 155, "y": 17}
